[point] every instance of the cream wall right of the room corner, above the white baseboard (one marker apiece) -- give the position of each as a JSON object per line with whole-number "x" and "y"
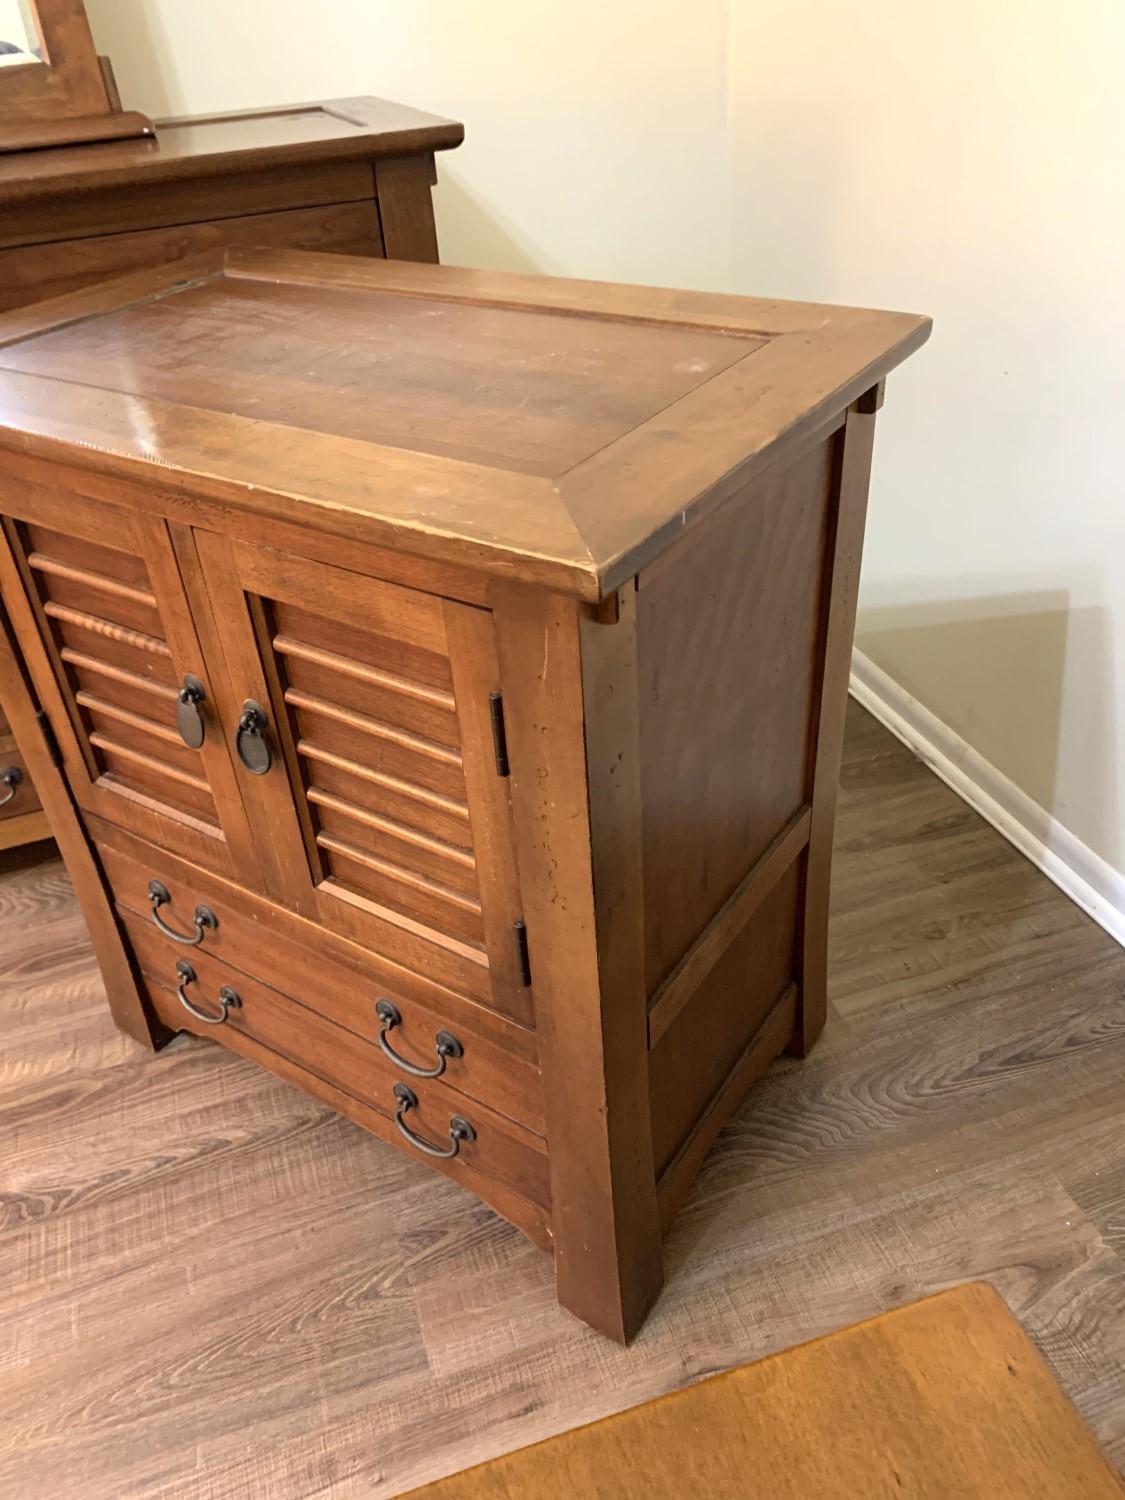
{"x": 968, "y": 161}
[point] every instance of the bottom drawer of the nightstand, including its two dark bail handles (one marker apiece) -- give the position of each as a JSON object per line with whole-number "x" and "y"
{"x": 490, "y": 1154}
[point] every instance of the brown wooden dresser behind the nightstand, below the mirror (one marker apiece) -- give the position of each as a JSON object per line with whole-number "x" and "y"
{"x": 349, "y": 176}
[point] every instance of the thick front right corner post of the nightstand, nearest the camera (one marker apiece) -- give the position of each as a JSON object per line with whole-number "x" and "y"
{"x": 572, "y": 697}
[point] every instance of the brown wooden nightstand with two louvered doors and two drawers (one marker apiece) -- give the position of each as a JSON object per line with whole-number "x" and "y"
{"x": 451, "y": 671}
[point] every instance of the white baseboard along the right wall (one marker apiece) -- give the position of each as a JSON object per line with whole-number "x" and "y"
{"x": 1076, "y": 869}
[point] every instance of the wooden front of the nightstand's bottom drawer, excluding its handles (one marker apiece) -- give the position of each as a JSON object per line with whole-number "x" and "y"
{"x": 502, "y": 1151}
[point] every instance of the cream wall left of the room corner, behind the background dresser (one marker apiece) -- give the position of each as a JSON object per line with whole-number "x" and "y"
{"x": 596, "y": 131}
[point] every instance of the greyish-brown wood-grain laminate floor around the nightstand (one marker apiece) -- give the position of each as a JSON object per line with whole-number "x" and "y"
{"x": 211, "y": 1288}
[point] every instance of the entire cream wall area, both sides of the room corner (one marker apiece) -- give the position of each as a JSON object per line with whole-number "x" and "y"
{"x": 958, "y": 160}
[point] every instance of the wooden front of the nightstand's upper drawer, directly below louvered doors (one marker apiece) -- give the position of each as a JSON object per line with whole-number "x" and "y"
{"x": 497, "y": 1064}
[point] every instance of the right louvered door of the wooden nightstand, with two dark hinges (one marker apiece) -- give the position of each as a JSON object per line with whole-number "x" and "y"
{"x": 383, "y": 763}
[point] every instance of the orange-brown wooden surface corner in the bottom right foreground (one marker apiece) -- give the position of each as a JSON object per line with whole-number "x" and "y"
{"x": 941, "y": 1400}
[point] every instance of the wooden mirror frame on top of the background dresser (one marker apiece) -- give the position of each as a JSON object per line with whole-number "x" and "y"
{"x": 65, "y": 98}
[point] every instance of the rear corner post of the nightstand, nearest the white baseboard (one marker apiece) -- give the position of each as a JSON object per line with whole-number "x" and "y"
{"x": 842, "y": 595}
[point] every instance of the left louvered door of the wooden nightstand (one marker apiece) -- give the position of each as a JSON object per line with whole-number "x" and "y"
{"x": 100, "y": 608}
